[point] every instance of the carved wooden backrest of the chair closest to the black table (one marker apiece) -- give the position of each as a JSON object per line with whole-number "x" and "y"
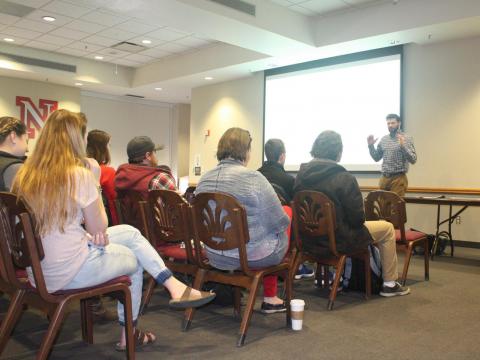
{"x": 388, "y": 206}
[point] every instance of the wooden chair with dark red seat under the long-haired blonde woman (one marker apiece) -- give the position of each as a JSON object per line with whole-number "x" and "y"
{"x": 21, "y": 247}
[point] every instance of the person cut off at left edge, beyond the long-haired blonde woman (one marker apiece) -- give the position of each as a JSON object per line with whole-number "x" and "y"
{"x": 13, "y": 146}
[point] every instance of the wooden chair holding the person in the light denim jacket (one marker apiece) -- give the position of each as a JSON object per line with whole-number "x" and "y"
{"x": 220, "y": 222}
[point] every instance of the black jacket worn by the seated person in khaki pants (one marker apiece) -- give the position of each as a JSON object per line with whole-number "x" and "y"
{"x": 342, "y": 189}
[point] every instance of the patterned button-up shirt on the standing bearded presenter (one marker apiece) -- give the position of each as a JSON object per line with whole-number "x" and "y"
{"x": 395, "y": 157}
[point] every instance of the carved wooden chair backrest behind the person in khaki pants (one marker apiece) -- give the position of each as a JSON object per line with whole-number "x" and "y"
{"x": 313, "y": 216}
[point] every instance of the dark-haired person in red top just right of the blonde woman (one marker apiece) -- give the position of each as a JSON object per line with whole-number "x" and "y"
{"x": 98, "y": 148}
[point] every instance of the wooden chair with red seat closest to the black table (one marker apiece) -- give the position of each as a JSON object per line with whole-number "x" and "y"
{"x": 386, "y": 205}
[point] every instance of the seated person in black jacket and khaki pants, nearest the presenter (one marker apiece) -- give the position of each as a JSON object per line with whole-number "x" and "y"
{"x": 353, "y": 232}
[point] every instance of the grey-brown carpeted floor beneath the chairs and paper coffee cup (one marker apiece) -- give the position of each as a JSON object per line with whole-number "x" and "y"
{"x": 440, "y": 319}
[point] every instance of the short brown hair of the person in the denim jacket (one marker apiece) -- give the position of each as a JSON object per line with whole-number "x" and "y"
{"x": 234, "y": 143}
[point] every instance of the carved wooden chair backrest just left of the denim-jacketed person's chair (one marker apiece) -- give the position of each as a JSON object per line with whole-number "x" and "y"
{"x": 167, "y": 219}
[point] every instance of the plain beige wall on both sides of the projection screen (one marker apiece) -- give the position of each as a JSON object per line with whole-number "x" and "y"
{"x": 442, "y": 107}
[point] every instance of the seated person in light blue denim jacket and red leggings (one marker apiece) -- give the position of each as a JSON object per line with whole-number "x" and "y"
{"x": 267, "y": 221}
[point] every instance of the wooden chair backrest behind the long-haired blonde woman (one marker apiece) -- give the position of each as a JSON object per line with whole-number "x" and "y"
{"x": 20, "y": 245}
